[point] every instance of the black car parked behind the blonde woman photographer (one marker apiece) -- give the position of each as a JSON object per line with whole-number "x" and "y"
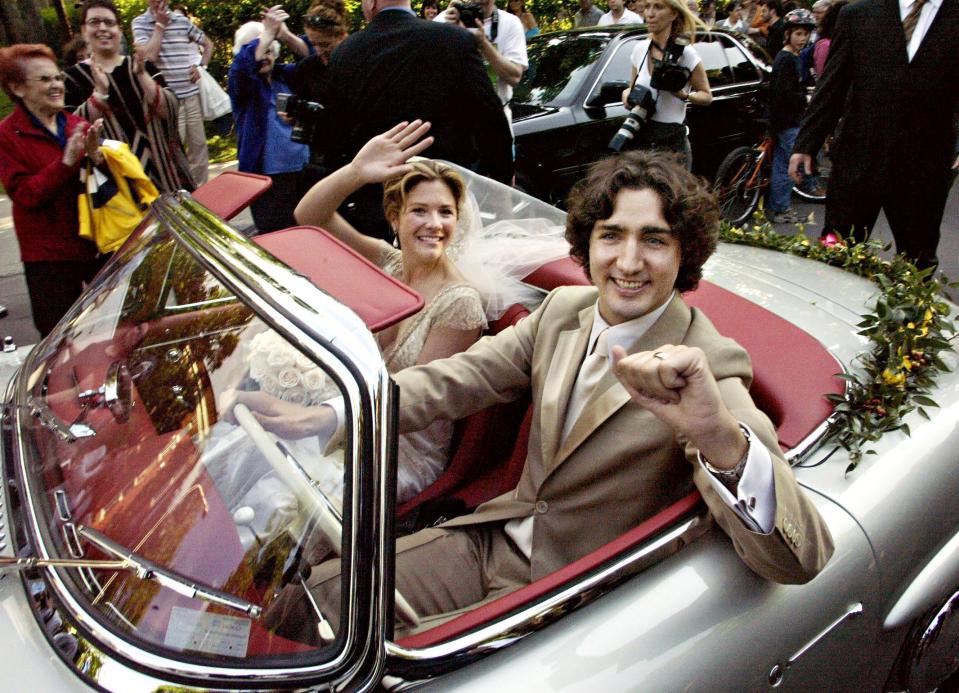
{"x": 568, "y": 105}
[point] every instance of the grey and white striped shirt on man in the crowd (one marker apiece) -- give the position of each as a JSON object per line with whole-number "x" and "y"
{"x": 179, "y": 50}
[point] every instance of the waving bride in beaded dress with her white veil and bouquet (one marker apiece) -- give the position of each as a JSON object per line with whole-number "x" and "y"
{"x": 467, "y": 264}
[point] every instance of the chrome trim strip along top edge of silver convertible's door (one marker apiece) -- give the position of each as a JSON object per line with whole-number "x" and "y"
{"x": 437, "y": 659}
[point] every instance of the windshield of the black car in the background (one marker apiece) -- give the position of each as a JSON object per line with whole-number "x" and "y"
{"x": 557, "y": 67}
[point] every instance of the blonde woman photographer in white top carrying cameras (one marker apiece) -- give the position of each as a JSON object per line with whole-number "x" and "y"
{"x": 667, "y": 74}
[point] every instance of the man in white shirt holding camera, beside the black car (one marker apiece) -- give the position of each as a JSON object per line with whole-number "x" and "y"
{"x": 501, "y": 40}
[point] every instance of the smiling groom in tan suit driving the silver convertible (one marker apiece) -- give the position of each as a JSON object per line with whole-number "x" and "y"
{"x": 636, "y": 399}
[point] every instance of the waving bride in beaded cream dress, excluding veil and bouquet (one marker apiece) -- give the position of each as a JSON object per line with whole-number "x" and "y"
{"x": 423, "y": 201}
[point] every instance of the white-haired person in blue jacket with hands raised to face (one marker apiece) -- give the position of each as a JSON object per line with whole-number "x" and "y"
{"x": 264, "y": 141}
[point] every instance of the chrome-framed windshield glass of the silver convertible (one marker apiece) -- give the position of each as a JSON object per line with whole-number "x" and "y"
{"x": 189, "y": 515}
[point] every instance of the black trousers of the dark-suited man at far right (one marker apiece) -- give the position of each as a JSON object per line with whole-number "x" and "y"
{"x": 914, "y": 211}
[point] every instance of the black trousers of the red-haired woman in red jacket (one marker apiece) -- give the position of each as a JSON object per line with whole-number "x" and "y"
{"x": 54, "y": 286}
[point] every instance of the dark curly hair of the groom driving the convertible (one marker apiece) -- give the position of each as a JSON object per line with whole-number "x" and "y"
{"x": 689, "y": 206}
